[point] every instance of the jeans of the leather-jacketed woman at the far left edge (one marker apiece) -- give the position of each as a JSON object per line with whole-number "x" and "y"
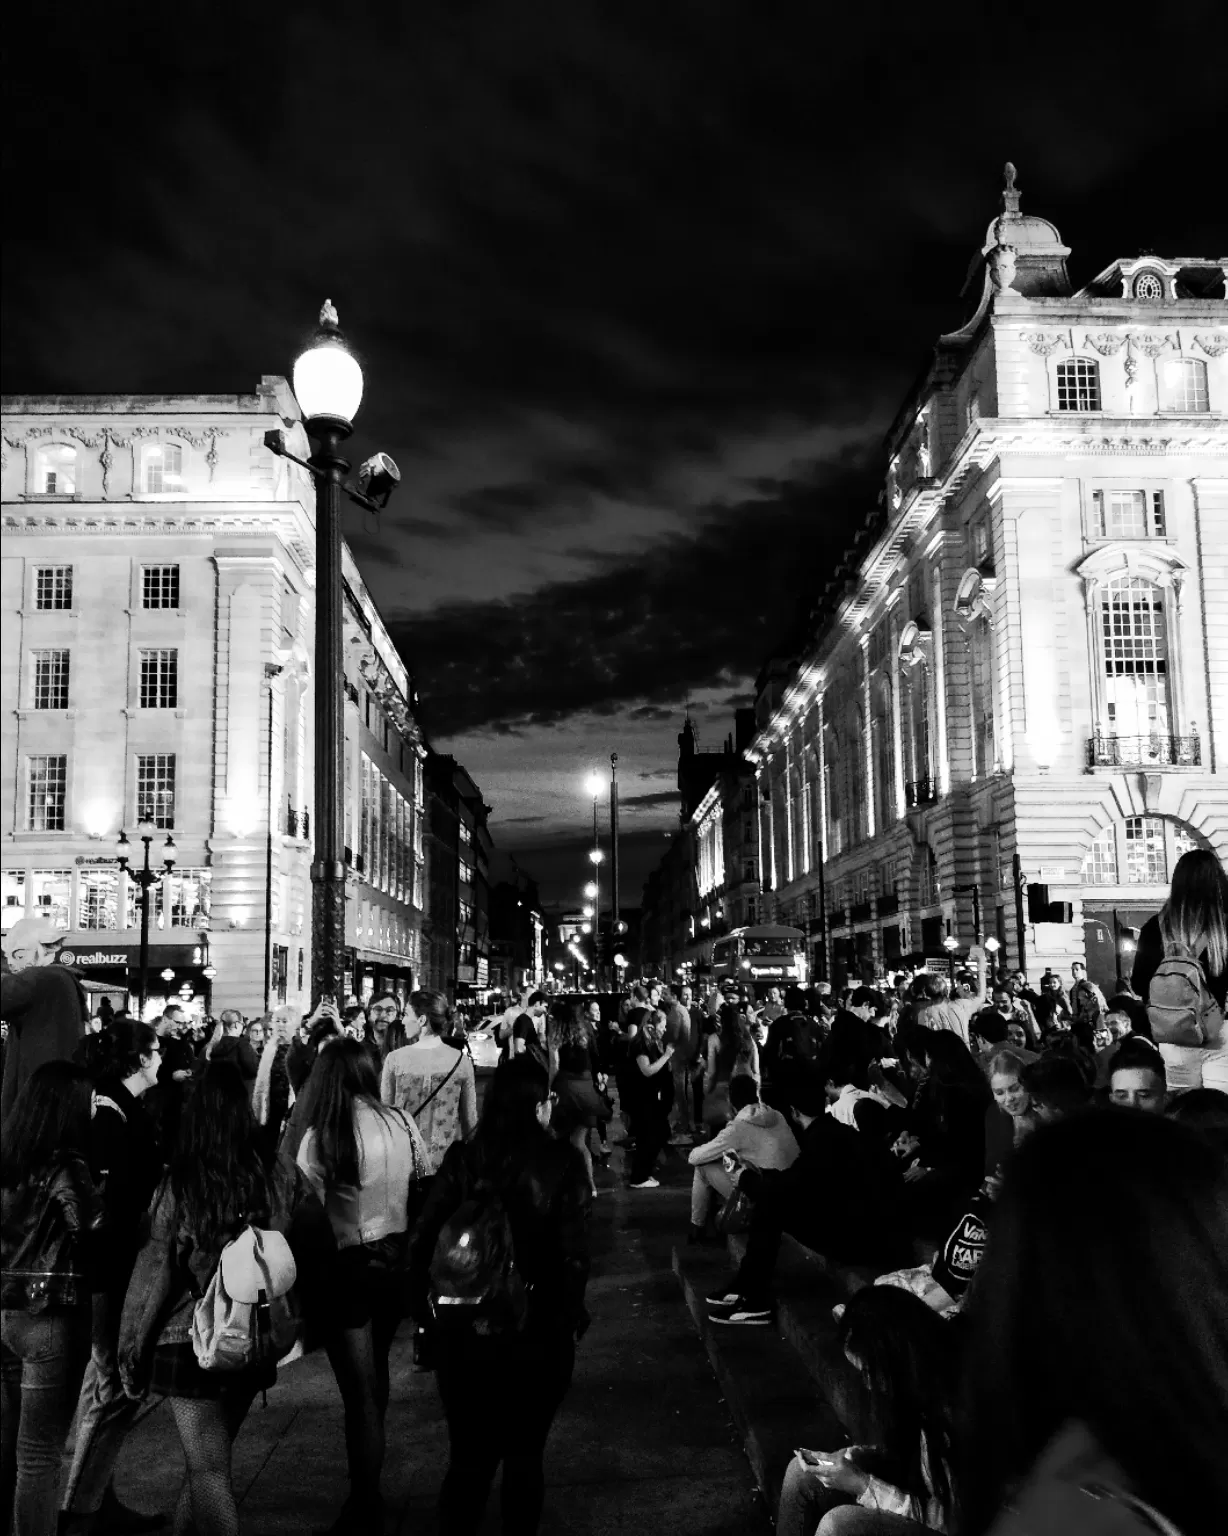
{"x": 42, "y": 1359}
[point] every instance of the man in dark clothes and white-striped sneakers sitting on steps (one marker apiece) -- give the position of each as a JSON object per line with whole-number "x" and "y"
{"x": 843, "y": 1197}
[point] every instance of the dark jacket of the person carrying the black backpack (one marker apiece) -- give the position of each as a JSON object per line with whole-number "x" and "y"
{"x": 548, "y": 1199}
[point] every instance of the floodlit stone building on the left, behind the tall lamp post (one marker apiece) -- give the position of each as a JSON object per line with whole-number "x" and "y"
{"x": 158, "y": 632}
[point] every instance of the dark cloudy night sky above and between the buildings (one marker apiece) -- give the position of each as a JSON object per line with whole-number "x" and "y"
{"x": 637, "y": 290}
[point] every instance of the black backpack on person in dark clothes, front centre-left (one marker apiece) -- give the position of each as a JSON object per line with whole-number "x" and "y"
{"x": 474, "y": 1277}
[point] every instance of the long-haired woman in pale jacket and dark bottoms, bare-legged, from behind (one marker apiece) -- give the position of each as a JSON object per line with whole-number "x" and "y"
{"x": 362, "y": 1159}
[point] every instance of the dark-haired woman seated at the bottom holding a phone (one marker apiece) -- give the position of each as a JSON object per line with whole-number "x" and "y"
{"x": 906, "y": 1362}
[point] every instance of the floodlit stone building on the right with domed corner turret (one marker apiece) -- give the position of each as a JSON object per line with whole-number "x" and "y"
{"x": 1020, "y": 677}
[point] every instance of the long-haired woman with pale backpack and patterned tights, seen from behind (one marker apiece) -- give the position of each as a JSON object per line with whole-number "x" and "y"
{"x": 237, "y": 1250}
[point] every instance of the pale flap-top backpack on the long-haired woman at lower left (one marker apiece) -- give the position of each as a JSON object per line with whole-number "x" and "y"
{"x": 248, "y": 1314}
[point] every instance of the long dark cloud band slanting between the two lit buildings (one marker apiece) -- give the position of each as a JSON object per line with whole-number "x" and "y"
{"x": 703, "y": 611}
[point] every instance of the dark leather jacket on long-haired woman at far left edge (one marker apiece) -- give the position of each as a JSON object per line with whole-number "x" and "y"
{"x": 47, "y": 1231}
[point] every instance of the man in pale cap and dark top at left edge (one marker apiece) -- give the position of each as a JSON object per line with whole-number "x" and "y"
{"x": 42, "y": 1002}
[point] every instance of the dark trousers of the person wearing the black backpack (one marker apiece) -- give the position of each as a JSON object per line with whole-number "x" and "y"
{"x": 500, "y": 1399}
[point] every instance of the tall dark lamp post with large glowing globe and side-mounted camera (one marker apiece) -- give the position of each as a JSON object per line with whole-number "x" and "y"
{"x": 328, "y": 383}
